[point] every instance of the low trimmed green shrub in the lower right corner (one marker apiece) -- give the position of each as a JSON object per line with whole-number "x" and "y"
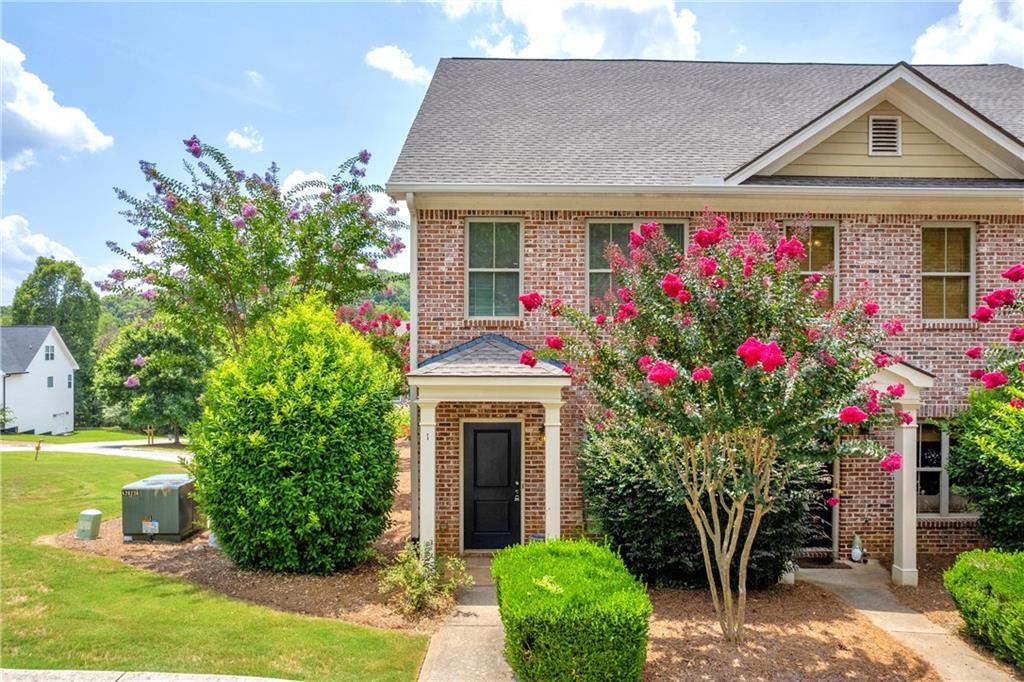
{"x": 989, "y": 589}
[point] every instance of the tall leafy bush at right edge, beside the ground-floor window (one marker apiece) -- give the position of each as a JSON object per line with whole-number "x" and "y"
{"x": 987, "y": 465}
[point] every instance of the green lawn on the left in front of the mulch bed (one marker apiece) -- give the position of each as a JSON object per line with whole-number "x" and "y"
{"x": 68, "y": 611}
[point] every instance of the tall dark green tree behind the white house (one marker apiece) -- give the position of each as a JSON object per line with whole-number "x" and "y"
{"x": 56, "y": 293}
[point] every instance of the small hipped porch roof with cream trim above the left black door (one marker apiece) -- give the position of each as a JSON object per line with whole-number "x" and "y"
{"x": 487, "y": 356}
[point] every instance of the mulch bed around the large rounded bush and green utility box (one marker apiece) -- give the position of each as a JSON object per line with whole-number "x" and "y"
{"x": 351, "y": 595}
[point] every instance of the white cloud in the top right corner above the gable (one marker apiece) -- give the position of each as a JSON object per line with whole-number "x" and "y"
{"x": 980, "y": 32}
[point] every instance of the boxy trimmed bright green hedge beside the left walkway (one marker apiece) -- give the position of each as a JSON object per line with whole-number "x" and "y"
{"x": 572, "y": 612}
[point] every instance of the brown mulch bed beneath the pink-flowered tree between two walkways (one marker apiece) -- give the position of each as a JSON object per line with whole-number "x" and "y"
{"x": 797, "y": 632}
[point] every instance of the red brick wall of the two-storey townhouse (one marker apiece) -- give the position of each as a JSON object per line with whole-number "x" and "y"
{"x": 884, "y": 250}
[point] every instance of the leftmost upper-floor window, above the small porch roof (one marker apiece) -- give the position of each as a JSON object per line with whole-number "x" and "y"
{"x": 495, "y": 272}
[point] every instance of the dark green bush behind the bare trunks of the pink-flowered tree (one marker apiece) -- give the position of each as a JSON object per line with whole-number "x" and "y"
{"x": 657, "y": 537}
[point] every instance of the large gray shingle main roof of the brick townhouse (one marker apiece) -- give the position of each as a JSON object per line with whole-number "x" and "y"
{"x": 636, "y": 122}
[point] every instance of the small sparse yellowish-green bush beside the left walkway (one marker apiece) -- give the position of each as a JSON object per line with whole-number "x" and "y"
{"x": 423, "y": 582}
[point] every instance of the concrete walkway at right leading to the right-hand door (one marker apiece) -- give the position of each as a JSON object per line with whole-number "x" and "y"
{"x": 866, "y": 587}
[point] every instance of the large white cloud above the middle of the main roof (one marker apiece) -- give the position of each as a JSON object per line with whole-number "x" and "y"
{"x": 585, "y": 29}
